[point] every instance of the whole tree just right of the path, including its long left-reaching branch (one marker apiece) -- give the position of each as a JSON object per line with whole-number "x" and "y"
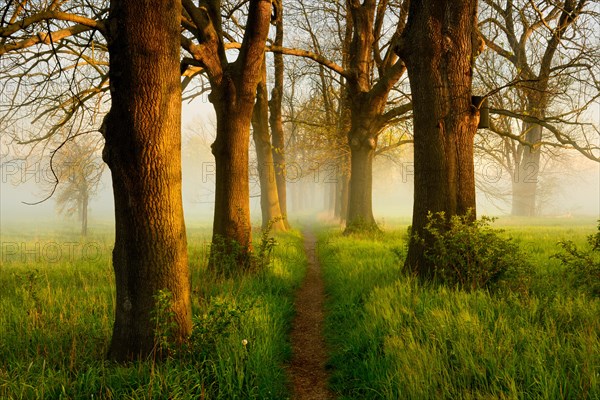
{"x": 368, "y": 72}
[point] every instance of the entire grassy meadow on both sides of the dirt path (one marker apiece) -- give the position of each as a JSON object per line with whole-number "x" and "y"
{"x": 389, "y": 336}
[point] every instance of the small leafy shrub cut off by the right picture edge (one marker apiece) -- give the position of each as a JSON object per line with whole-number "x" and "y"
{"x": 583, "y": 265}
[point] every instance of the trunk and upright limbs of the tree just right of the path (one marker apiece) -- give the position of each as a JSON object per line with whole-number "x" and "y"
{"x": 368, "y": 101}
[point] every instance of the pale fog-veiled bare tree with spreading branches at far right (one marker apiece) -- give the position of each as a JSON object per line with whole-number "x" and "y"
{"x": 549, "y": 60}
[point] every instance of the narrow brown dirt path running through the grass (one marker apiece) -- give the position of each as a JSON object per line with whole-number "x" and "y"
{"x": 307, "y": 368}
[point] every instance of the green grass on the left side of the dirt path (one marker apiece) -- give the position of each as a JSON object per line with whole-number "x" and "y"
{"x": 56, "y": 314}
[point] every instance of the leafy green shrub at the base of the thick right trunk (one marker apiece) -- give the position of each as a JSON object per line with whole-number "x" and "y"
{"x": 470, "y": 254}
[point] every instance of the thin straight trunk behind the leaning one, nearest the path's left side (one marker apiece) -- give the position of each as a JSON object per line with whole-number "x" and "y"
{"x": 275, "y": 119}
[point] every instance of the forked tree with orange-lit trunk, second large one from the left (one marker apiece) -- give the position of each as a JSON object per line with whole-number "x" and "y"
{"x": 233, "y": 92}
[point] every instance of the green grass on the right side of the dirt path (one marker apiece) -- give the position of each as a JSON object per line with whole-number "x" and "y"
{"x": 391, "y": 337}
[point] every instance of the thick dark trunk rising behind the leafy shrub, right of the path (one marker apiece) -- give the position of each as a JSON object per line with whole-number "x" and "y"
{"x": 437, "y": 49}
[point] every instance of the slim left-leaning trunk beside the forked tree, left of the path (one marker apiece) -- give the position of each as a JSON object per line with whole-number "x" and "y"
{"x": 269, "y": 198}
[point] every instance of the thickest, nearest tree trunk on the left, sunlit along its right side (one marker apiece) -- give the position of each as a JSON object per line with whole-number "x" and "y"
{"x": 143, "y": 151}
